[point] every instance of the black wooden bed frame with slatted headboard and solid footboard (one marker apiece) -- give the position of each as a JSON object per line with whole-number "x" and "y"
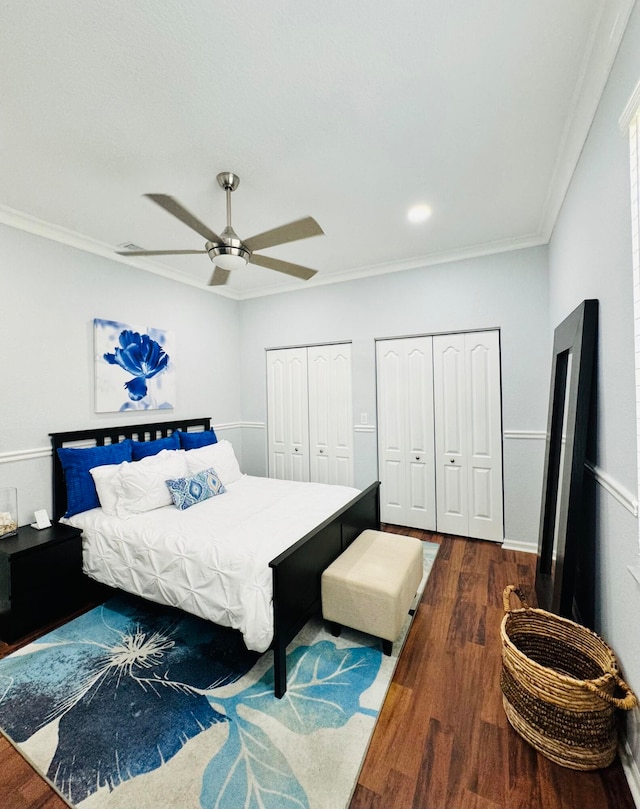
{"x": 296, "y": 572}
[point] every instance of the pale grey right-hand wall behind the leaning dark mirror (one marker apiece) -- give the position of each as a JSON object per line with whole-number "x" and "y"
{"x": 590, "y": 257}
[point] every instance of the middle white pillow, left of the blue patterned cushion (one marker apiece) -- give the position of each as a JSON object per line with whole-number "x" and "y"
{"x": 141, "y": 485}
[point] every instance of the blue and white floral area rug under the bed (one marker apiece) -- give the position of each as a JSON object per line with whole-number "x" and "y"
{"x": 132, "y": 706}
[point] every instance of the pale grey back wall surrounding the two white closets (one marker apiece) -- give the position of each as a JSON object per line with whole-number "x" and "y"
{"x": 507, "y": 290}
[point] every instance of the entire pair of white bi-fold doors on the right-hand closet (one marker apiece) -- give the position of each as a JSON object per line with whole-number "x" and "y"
{"x": 440, "y": 433}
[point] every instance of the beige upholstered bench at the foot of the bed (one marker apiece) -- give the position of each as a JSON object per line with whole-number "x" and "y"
{"x": 371, "y": 585}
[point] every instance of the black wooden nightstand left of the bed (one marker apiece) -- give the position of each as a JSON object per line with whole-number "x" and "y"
{"x": 41, "y": 578}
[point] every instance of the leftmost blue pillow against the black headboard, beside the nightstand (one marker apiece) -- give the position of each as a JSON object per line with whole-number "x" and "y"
{"x": 76, "y": 463}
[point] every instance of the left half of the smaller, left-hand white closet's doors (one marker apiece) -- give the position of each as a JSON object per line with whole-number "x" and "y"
{"x": 288, "y": 414}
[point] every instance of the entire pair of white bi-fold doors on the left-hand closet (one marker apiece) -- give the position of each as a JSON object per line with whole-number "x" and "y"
{"x": 309, "y": 414}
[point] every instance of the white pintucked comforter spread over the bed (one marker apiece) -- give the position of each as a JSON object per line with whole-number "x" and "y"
{"x": 212, "y": 559}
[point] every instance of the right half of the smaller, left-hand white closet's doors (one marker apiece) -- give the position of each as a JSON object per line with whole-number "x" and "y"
{"x": 330, "y": 414}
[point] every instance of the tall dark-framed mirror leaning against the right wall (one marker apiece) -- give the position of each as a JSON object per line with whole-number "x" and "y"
{"x": 562, "y": 525}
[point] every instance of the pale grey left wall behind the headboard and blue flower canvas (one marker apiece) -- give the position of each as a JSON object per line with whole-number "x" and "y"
{"x": 50, "y": 294}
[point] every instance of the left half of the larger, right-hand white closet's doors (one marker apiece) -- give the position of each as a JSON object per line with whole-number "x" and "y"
{"x": 405, "y": 431}
